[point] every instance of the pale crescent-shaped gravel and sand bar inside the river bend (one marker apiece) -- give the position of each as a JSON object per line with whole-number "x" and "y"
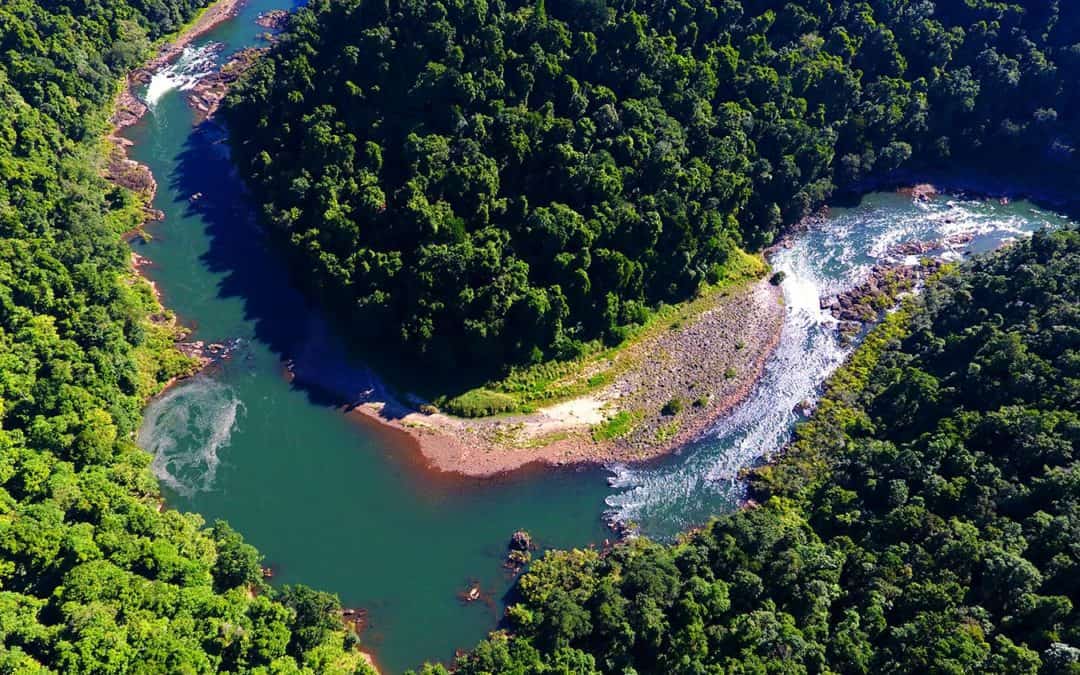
{"x": 708, "y": 362}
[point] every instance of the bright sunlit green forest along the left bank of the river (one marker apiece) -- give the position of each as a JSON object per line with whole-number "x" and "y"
{"x": 94, "y": 576}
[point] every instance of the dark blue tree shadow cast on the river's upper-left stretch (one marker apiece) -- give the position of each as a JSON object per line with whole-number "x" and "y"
{"x": 258, "y": 273}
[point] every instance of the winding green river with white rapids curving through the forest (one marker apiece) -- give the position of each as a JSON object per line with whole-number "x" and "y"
{"x": 337, "y": 505}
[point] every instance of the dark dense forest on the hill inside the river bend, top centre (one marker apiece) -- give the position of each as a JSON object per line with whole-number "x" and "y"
{"x": 499, "y": 182}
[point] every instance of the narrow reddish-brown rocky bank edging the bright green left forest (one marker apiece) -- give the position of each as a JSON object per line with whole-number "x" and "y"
{"x": 126, "y": 101}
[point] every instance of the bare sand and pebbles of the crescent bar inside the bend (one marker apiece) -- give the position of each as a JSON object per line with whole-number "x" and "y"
{"x": 562, "y": 436}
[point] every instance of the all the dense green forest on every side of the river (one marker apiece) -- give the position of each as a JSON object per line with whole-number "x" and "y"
{"x": 519, "y": 180}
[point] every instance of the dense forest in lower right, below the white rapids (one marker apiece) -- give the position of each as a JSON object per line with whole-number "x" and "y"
{"x": 927, "y": 520}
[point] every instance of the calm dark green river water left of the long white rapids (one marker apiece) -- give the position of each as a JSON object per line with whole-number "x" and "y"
{"x": 329, "y": 503}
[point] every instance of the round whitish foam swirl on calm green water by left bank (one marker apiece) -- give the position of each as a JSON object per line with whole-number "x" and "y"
{"x": 187, "y": 429}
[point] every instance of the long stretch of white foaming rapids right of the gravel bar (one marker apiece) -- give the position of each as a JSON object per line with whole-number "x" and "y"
{"x": 830, "y": 258}
